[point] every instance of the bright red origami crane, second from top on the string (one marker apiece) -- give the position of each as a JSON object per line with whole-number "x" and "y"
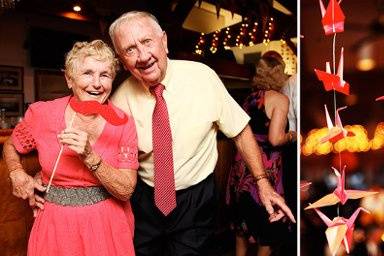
{"x": 334, "y": 81}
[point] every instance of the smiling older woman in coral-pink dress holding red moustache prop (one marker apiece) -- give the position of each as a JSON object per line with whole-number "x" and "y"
{"x": 92, "y": 145}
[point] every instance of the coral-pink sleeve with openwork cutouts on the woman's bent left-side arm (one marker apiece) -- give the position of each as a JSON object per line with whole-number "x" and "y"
{"x": 23, "y": 136}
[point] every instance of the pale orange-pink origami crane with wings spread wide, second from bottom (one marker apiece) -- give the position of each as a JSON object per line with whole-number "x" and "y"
{"x": 340, "y": 194}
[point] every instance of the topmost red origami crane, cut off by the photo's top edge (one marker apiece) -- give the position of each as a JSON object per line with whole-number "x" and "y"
{"x": 333, "y": 17}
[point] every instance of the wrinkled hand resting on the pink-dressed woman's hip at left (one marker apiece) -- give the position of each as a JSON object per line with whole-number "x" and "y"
{"x": 24, "y": 185}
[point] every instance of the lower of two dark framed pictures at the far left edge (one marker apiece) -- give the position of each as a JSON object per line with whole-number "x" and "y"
{"x": 13, "y": 103}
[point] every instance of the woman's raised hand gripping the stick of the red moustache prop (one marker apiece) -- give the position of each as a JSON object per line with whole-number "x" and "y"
{"x": 76, "y": 140}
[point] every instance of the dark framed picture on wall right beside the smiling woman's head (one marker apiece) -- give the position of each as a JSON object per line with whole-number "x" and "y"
{"x": 50, "y": 85}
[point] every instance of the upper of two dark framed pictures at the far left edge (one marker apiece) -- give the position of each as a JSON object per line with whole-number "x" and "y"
{"x": 11, "y": 78}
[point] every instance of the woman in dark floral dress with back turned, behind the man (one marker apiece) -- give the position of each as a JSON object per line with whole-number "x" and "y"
{"x": 268, "y": 111}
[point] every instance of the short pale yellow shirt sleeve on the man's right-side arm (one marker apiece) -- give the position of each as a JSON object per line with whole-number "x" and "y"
{"x": 232, "y": 119}
